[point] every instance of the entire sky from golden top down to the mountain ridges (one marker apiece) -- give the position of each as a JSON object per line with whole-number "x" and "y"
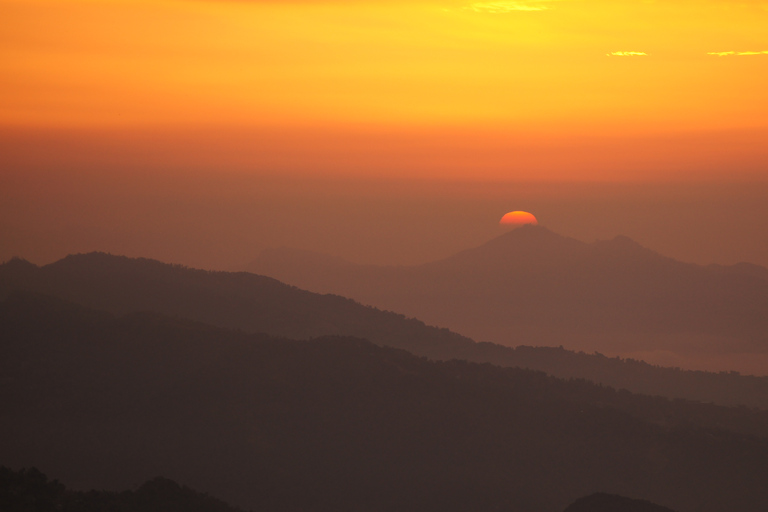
{"x": 386, "y": 131}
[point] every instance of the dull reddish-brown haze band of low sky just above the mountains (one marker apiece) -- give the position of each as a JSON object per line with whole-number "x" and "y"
{"x": 223, "y": 222}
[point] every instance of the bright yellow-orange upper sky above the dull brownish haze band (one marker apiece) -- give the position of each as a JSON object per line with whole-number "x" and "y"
{"x": 497, "y": 90}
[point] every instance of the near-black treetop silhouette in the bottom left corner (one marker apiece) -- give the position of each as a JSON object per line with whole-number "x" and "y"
{"x": 29, "y": 490}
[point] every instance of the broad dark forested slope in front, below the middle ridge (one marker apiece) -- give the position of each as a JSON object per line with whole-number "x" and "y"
{"x": 341, "y": 424}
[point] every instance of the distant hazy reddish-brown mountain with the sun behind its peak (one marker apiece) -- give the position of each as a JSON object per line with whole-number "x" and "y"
{"x": 531, "y": 286}
